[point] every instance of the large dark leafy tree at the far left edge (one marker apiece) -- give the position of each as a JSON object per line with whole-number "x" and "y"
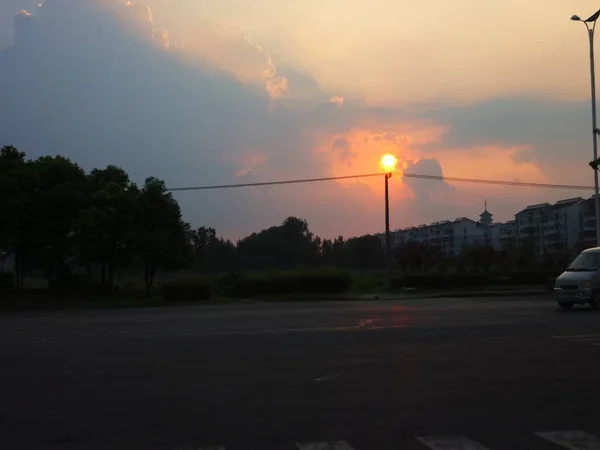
{"x": 41, "y": 200}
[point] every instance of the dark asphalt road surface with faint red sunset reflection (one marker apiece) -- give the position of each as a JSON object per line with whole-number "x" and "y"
{"x": 429, "y": 374}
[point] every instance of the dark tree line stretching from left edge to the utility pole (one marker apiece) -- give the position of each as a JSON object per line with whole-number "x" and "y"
{"x": 57, "y": 219}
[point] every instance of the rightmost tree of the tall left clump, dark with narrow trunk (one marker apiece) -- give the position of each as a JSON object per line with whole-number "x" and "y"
{"x": 162, "y": 236}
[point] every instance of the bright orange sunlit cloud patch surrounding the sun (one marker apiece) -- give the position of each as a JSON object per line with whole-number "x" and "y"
{"x": 358, "y": 151}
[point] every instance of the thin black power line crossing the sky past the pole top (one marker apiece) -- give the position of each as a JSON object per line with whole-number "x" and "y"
{"x": 379, "y": 174}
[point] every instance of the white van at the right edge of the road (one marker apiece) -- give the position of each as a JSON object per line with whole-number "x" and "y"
{"x": 580, "y": 283}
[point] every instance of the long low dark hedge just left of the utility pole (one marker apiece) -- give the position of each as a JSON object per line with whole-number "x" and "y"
{"x": 292, "y": 282}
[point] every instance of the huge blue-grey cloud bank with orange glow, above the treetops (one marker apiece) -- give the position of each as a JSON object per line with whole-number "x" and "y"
{"x": 98, "y": 82}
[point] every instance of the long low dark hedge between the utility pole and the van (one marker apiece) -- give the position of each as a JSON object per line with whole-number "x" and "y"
{"x": 466, "y": 280}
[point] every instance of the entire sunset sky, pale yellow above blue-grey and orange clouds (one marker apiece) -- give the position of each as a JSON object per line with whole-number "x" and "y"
{"x": 199, "y": 92}
